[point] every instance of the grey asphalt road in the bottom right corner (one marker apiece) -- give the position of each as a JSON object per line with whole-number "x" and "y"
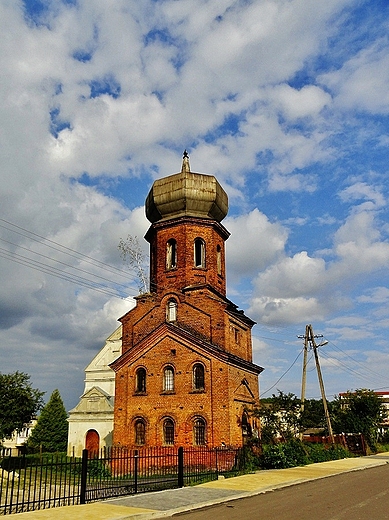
{"x": 359, "y": 495}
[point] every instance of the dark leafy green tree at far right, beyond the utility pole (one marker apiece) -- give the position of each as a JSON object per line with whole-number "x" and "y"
{"x": 361, "y": 411}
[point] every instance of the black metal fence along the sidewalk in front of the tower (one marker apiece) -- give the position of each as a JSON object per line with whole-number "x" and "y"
{"x": 43, "y": 481}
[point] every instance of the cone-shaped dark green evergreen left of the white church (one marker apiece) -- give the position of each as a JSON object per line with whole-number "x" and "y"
{"x": 51, "y": 429}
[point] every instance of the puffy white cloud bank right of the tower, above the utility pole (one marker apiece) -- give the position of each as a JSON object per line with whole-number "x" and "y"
{"x": 302, "y": 288}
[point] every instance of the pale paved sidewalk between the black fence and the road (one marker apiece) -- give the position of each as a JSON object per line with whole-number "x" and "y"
{"x": 163, "y": 504}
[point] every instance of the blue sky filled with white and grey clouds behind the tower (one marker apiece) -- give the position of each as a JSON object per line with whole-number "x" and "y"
{"x": 286, "y": 102}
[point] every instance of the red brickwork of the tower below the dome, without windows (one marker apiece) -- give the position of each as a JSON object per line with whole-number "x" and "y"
{"x": 204, "y": 332}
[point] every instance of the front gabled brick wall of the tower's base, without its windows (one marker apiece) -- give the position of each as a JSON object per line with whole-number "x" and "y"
{"x": 182, "y": 406}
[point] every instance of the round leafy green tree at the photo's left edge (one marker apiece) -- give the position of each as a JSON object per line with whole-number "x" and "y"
{"x": 19, "y": 403}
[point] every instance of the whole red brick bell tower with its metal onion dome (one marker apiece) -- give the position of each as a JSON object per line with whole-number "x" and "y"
{"x": 185, "y": 376}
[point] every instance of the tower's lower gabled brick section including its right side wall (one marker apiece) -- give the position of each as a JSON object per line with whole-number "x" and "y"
{"x": 173, "y": 374}
